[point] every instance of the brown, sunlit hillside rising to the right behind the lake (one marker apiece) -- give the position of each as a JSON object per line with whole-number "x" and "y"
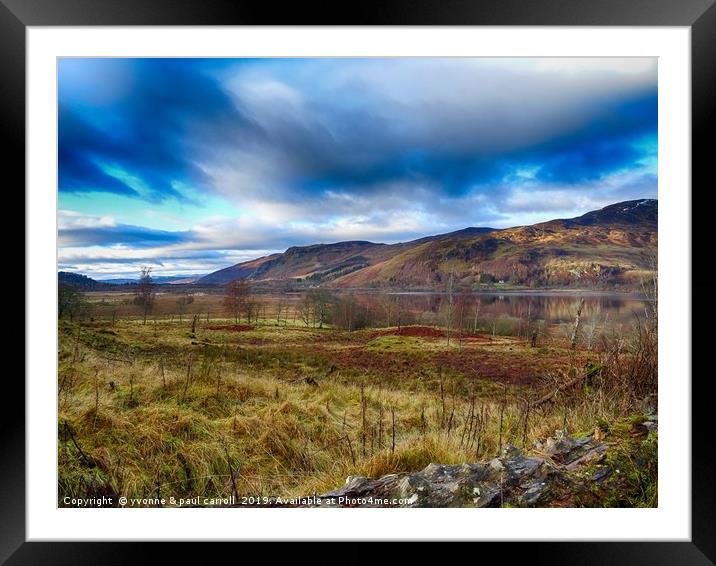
{"x": 610, "y": 247}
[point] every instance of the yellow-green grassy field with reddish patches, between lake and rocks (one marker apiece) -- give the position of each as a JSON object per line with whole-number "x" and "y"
{"x": 286, "y": 409}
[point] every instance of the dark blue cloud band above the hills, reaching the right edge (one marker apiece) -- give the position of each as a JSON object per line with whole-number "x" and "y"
{"x": 601, "y": 145}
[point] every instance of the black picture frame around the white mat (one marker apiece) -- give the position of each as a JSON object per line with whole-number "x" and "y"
{"x": 699, "y": 15}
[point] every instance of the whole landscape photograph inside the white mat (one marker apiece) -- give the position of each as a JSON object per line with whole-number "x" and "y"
{"x": 357, "y": 282}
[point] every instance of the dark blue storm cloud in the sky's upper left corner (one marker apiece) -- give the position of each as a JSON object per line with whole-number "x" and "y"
{"x": 141, "y": 140}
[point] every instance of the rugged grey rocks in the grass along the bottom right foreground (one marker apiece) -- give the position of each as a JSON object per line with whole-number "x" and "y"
{"x": 557, "y": 473}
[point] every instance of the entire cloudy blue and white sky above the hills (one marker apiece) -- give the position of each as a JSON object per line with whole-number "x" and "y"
{"x": 191, "y": 165}
